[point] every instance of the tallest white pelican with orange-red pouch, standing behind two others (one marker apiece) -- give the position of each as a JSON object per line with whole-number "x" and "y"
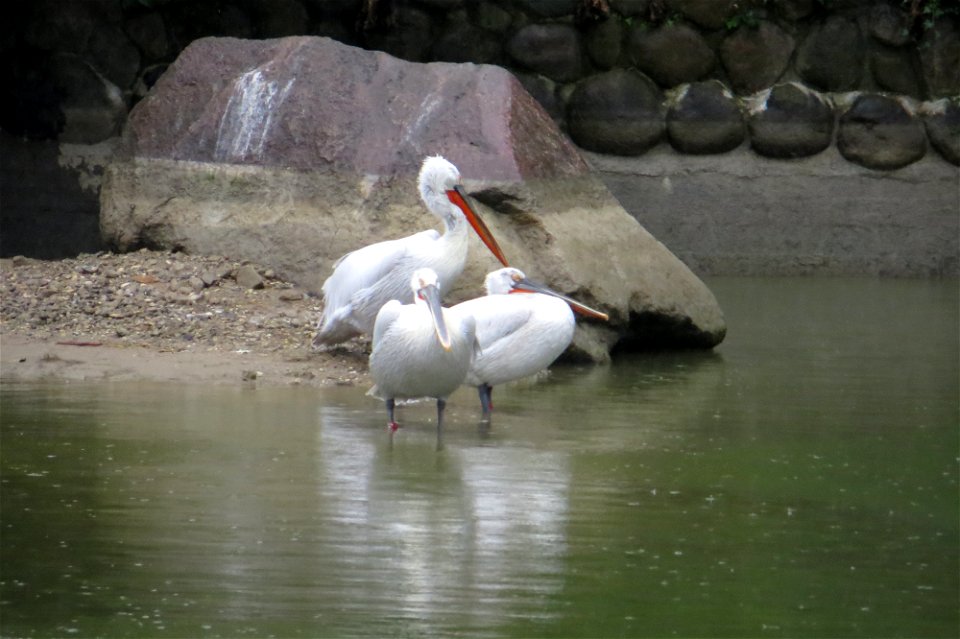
{"x": 365, "y": 279}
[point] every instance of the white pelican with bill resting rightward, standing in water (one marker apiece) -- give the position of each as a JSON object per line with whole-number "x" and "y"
{"x": 519, "y": 335}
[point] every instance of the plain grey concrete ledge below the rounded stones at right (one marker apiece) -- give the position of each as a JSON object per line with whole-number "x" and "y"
{"x": 740, "y": 214}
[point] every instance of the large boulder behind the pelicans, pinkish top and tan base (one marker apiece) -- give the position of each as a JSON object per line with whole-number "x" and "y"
{"x": 292, "y": 152}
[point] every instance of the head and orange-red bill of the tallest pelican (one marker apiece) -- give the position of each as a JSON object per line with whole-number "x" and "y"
{"x": 440, "y": 186}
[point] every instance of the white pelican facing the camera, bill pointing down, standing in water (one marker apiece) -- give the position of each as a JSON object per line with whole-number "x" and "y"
{"x": 420, "y": 349}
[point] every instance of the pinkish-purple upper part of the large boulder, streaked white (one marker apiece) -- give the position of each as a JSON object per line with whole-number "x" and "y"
{"x": 311, "y": 103}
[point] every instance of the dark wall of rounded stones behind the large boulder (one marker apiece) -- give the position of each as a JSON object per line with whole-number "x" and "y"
{"x": 876, "y": 81}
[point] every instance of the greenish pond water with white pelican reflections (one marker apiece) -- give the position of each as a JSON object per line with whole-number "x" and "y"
{"x": 801, "y": 481}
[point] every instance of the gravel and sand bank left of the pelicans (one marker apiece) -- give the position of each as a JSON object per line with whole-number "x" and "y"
{"x": 211, "y": 310}
